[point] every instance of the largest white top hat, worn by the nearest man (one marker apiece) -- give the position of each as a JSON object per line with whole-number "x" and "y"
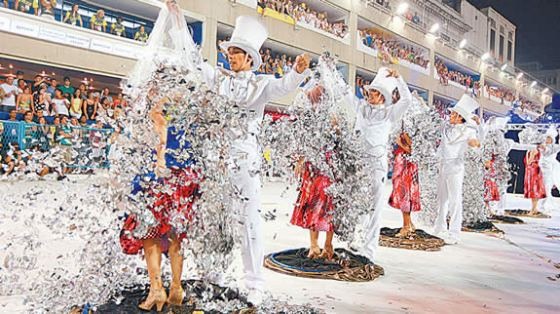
{"x": 249, "y": 35}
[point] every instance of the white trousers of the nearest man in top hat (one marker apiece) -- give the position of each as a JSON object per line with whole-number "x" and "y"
{"x": 246, "y": 179}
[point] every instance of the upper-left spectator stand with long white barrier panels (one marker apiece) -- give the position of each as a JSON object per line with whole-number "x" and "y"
{"x": 27, "y": 24}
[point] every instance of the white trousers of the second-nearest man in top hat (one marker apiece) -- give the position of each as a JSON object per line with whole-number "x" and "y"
{"x": 372, "y": 220}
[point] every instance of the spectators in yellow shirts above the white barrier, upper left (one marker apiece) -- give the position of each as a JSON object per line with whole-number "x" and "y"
{"x": 97, "y": 22}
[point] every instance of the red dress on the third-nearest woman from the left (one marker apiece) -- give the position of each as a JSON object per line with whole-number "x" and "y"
{"x": 406, "y": 190}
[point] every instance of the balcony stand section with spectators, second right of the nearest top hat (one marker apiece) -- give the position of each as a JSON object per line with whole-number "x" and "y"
{"x": 390, "y": 48}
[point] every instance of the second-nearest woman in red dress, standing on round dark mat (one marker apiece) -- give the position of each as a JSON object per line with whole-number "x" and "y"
{"x": 313, "y": 209}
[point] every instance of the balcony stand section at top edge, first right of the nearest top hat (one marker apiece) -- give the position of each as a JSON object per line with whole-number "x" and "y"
{"x": 315, "y": 15}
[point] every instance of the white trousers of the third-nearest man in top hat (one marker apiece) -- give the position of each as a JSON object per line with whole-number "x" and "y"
{"x": 450, "y": 201}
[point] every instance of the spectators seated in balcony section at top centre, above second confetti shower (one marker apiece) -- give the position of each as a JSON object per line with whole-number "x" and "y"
{"x": 302, "y": 13}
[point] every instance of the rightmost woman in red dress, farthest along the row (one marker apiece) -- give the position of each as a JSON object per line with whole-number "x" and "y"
{"x": 533, "y": 185}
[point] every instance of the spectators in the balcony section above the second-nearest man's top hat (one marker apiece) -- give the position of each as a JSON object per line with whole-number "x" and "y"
{"x": 389, "y": 49}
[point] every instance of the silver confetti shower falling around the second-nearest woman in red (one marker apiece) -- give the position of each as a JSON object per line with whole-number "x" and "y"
{"x": 312, "y": 130}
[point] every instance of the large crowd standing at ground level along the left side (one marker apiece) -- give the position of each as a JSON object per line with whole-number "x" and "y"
{"x": 43, "y": 115}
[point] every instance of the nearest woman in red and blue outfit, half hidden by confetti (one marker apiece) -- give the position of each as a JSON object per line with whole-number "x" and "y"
{"x": 173, "y": 200}
